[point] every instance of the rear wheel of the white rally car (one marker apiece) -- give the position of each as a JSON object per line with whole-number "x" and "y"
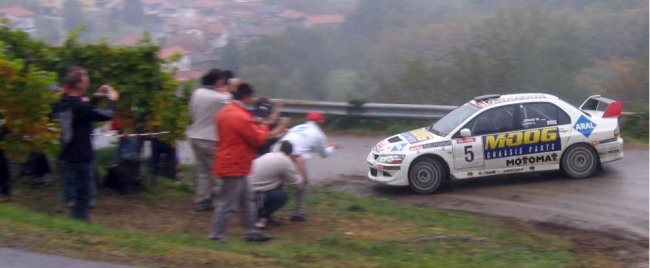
{"x": 580, "y": 161}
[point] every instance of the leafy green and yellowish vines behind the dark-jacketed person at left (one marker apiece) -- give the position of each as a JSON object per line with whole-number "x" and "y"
{"x": 150, "y": 98}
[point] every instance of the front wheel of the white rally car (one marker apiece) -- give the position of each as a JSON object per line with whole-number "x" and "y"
{"x": 426, "y": 175}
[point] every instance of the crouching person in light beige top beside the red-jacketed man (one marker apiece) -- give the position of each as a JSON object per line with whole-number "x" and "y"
{"x": 269, "y": 174}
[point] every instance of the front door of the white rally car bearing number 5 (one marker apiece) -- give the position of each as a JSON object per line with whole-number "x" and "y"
{"x": 489, "y": 128}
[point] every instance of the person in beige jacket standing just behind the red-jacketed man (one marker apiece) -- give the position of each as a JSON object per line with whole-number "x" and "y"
{"x": 205, "y": 102}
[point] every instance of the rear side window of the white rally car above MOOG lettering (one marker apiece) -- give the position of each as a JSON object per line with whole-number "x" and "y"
{"x": 537, "y": 115}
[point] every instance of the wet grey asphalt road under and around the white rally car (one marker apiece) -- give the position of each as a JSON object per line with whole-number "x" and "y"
{"x": 615, "y": 201}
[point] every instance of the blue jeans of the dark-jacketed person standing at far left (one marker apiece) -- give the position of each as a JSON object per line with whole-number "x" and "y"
{"x": 80, "y": 174}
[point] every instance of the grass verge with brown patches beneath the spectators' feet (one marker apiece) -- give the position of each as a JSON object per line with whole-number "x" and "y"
{"x": 156, "y": 228}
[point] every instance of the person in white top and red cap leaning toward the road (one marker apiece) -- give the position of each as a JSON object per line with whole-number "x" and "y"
{"x": 307, "y": 139}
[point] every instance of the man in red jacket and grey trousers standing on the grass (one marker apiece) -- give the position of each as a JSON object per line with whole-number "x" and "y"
{"x": 239, "y": 137}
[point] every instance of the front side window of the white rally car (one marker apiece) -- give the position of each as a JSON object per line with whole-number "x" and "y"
{"x": 499, "y": 119}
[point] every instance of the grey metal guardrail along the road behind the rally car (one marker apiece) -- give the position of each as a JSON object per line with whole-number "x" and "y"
{"x": 368, "y": 109}
